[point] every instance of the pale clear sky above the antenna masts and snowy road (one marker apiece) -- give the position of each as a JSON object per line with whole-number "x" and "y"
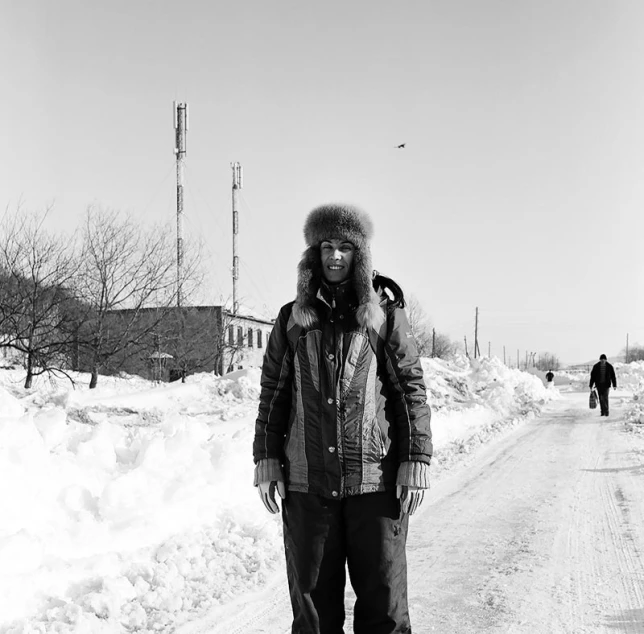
{"x": 519, "y": 190}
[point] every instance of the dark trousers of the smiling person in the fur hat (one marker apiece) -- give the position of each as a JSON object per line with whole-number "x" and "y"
{"x": 365, "y": 533}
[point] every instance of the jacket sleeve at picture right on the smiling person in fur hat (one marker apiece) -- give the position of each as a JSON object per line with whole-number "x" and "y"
{"x": 412, "y": 413}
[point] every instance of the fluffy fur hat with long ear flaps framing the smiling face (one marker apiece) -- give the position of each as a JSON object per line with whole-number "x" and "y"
{"x": 340, "y": 222}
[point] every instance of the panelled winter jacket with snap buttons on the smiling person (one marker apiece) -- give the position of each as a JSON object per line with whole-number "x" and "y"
{"x": 342, "y": 407}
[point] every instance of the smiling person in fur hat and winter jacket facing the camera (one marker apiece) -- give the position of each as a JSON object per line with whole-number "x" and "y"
{"x": 343, "y": 431}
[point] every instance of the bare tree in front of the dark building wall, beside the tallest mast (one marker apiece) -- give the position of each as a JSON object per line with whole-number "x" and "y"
{"x": 129, "y": 284}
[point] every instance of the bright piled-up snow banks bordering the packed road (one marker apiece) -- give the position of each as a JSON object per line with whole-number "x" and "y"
{"x": 130, "y": 508}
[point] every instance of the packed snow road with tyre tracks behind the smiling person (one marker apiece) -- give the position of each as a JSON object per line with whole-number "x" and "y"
{"x": 540, "y": 531}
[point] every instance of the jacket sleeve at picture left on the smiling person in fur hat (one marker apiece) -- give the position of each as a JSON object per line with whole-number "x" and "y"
{"x": 275, "y": 396}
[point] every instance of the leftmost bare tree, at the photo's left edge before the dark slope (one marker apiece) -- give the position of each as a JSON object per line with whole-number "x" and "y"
{"x": 38, "y": 269}
